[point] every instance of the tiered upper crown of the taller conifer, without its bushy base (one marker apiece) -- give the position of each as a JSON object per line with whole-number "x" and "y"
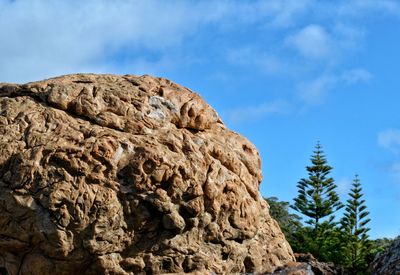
{"x": 317, "y": 198}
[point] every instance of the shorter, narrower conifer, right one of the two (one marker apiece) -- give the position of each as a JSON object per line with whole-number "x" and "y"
{"x": 354, "y": 226}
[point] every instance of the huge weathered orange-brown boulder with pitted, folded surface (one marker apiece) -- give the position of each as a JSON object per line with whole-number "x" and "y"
{"x": 103, "y": 174}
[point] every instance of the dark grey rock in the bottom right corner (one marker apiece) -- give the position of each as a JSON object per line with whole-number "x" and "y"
{"x": 388, "y": 261}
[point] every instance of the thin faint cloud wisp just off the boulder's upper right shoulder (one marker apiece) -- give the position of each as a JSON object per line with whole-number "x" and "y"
{"x": 251, "y": 113}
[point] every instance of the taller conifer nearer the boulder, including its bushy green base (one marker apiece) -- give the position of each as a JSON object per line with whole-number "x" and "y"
{"x": 318, "y": 200}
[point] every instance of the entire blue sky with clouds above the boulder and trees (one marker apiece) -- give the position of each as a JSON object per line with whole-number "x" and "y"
{"x": 285, "y": 74}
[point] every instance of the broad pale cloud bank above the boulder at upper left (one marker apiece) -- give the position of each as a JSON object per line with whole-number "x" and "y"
{"x": 44, "y": 38}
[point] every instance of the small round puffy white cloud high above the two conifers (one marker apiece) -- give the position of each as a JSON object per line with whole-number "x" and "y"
{"x": 313, "y": 41}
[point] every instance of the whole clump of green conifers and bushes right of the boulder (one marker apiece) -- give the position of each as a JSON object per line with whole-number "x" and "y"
{"x": 346, "y": 243}
